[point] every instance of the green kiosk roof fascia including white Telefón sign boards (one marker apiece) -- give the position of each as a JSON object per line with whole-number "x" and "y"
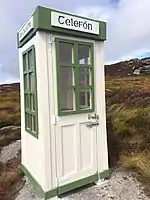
{"x": 61, "y": 23}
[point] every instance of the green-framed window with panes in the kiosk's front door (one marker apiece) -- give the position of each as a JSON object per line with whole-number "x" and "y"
{"x": 75, "y": 77}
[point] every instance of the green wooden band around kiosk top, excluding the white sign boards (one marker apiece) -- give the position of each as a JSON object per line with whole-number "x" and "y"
{"x": 42, "y": 21}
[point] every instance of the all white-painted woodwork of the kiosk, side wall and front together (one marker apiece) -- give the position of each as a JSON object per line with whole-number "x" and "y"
{"x": 66, "y": 150}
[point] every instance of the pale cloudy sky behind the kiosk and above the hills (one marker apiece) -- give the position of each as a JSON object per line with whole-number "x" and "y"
{"x": 128, "y": 26}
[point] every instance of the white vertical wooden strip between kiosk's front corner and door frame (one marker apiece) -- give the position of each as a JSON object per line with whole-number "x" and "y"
{"x": 46, "y": 106}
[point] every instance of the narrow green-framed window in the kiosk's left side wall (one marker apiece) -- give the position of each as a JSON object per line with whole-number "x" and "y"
{"x": 30, "y": 91}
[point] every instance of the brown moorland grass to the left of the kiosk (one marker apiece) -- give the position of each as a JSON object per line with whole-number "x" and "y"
{"x": 10, "y": 174}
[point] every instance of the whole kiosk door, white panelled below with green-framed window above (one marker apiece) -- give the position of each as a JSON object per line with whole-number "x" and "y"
{"x": 76, "y": 121}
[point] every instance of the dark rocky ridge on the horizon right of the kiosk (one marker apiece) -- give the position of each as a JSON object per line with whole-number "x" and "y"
{"x": 129, "y": 68}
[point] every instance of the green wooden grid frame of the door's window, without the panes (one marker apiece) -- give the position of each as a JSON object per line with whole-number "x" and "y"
{"x": 76, "y": 87}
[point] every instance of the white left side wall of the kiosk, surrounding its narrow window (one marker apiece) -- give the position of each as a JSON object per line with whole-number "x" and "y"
{"x": 33, "y": 150}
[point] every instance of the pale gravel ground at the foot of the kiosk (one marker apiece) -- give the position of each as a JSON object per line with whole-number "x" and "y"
{"x": 121, "y": 186}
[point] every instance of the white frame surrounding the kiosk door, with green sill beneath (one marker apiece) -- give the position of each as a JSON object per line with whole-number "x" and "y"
{"x": 102, "y": 168}
